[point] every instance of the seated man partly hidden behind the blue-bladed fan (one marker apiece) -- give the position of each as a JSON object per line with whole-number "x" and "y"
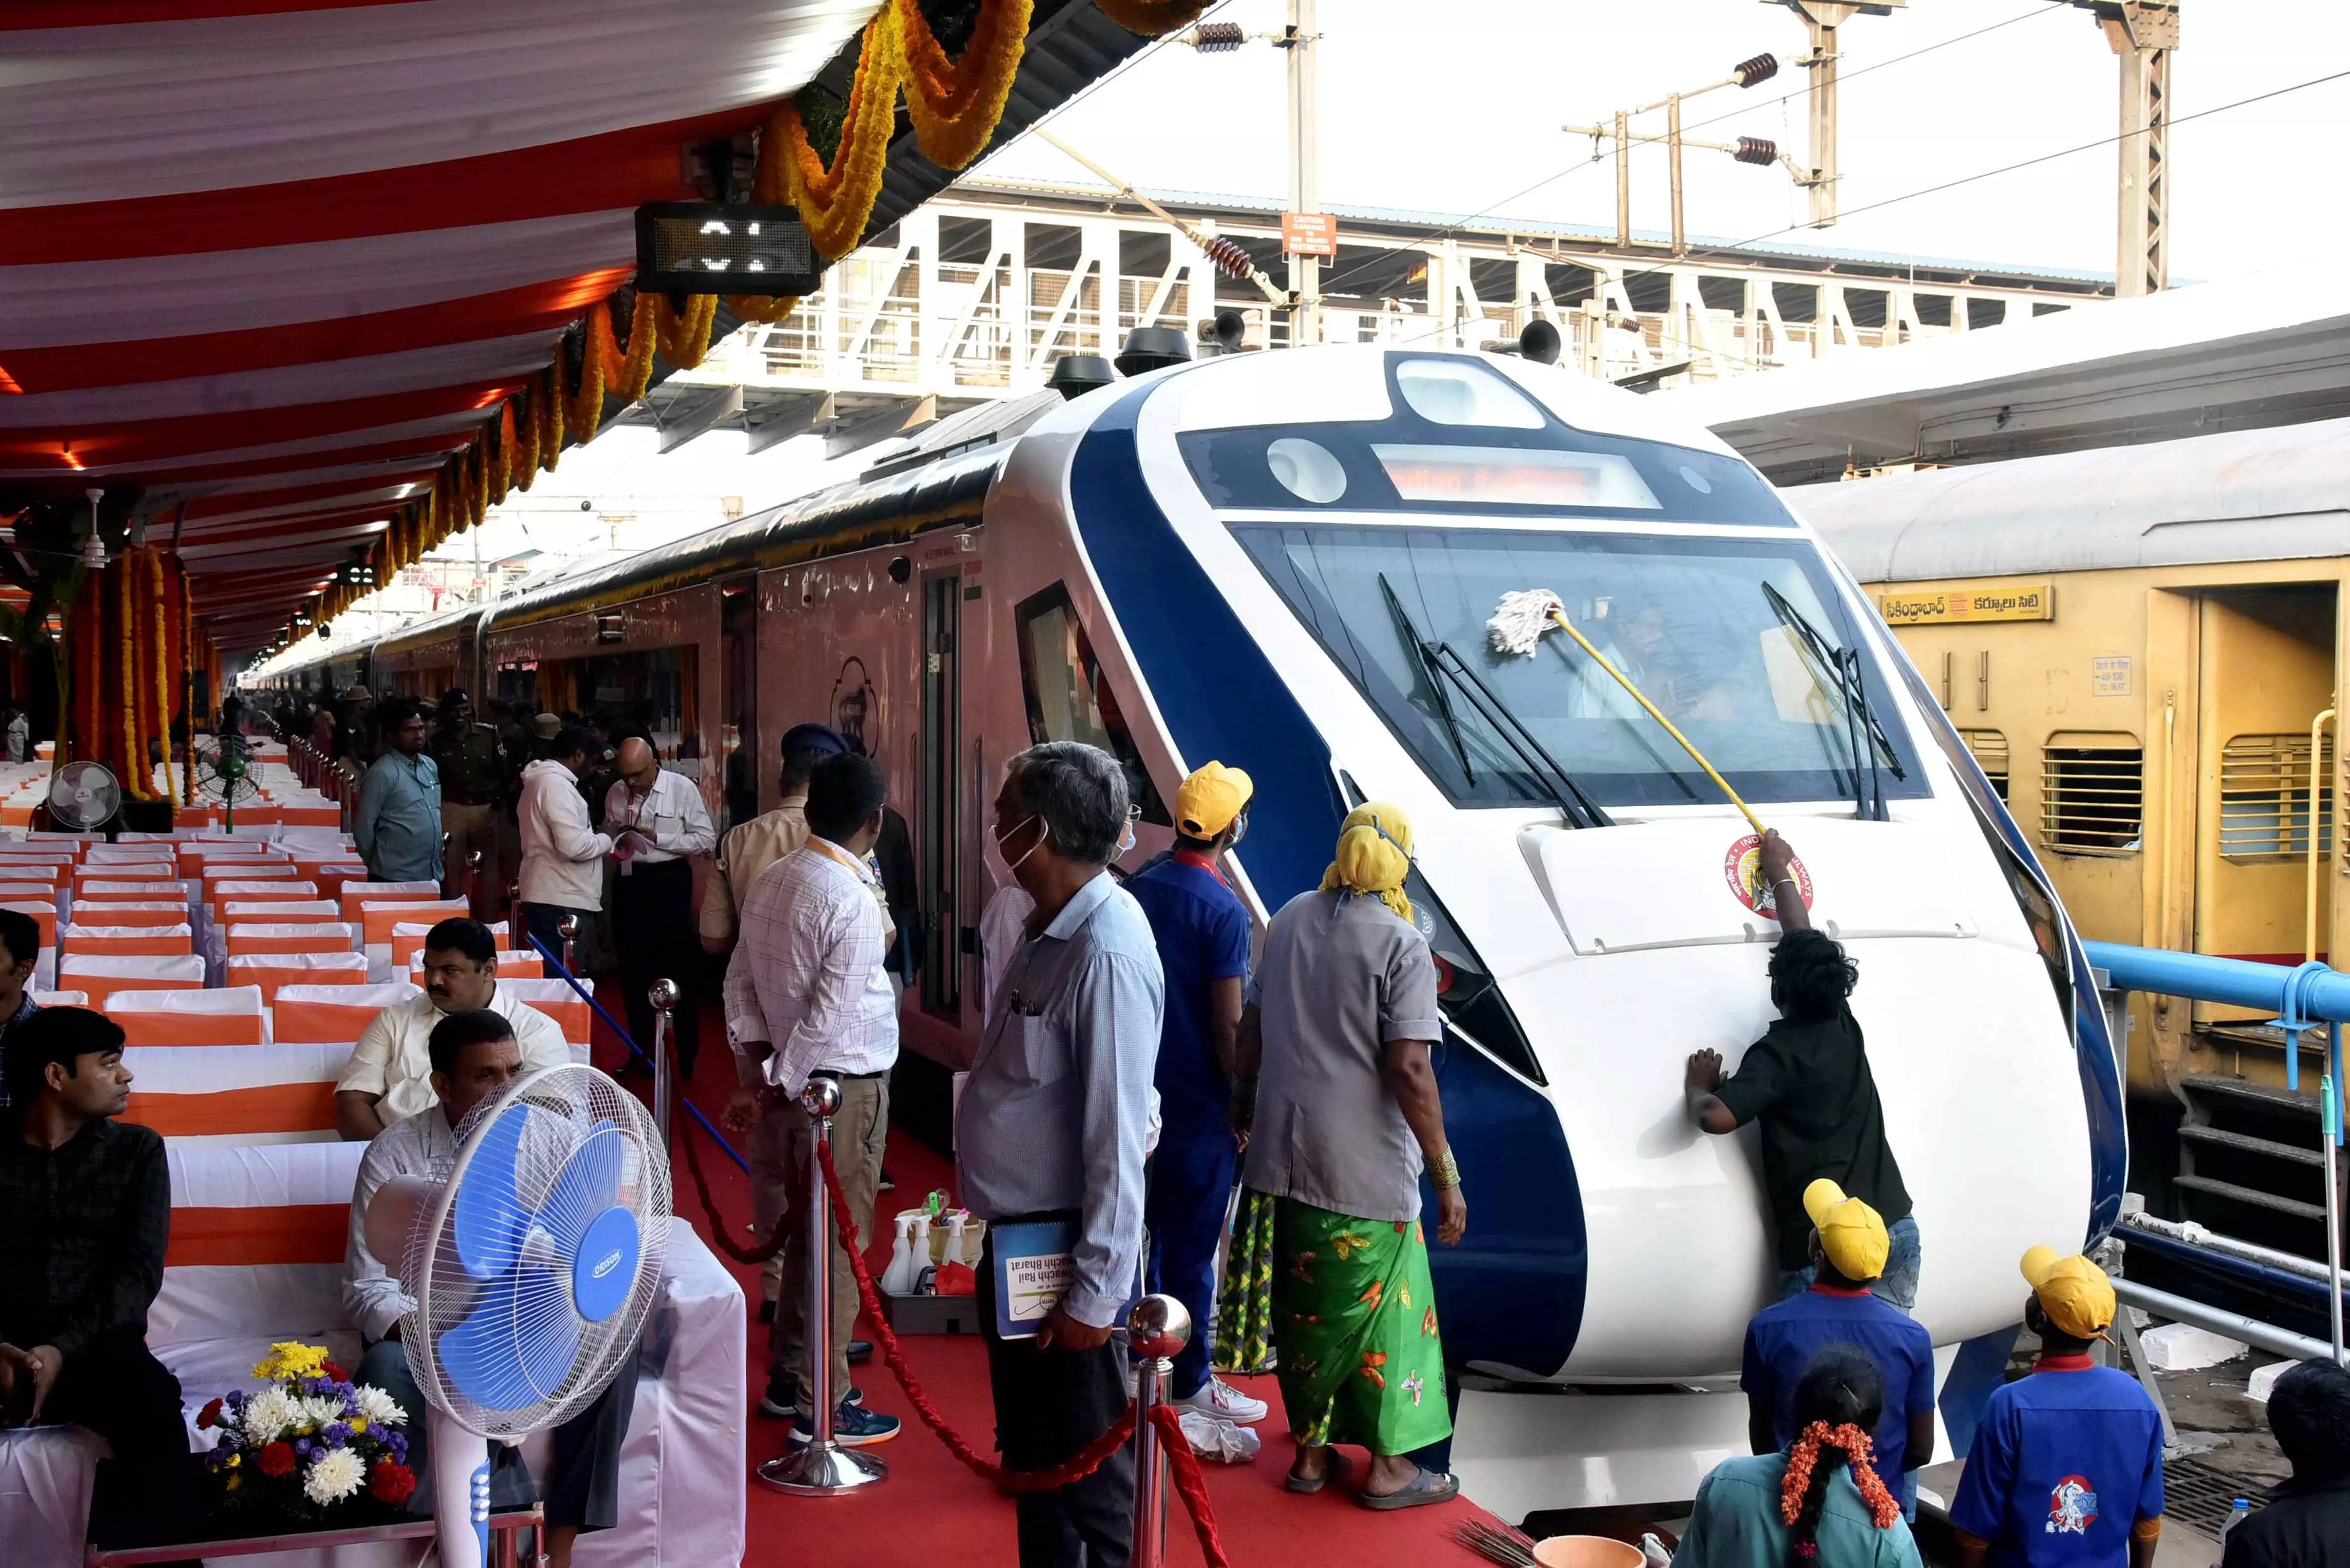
{"x": 476, "y": 1059}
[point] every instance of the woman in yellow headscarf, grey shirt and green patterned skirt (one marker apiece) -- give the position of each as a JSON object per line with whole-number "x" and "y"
{"x": 1345, "y": 1118}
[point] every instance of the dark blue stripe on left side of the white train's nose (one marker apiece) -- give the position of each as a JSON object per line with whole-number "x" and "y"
{"x": 1515, "y": 1289}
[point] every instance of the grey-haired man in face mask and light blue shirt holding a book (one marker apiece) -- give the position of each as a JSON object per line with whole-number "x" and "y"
{"x": 1052, "y": 1127}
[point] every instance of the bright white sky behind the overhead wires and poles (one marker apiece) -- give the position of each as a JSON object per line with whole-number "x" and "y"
{"x": 1453, "y": 107}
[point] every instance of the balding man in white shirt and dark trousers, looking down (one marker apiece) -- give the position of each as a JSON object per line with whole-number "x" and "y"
{"x": 657, "y": 822}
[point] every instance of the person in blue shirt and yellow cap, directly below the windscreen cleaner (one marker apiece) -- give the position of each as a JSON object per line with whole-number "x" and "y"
{"x": 1848, "y": 1252}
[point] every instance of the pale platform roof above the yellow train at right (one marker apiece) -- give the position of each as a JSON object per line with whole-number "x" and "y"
{"x": 2215, "y": 356}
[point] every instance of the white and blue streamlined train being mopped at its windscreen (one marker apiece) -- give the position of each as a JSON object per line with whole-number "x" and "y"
{"x": 1287, "y": 563}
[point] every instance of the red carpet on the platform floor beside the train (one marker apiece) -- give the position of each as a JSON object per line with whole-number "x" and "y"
{"x": 934, "y": 1513}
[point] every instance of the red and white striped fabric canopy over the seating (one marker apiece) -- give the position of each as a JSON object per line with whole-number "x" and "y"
{"x": 276, "y": 262}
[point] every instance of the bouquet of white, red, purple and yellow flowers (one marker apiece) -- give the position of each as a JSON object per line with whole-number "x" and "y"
{"x": 311, "y": 1447}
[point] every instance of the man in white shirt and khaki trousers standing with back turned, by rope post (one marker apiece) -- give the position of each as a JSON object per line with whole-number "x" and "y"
{"x": 807, "y": 996}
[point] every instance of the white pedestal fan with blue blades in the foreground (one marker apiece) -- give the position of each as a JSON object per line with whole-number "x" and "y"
{"x": 532, "y": 1264}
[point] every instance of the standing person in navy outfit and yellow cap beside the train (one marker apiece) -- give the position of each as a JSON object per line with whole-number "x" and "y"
{"x": 1202, "y": 930}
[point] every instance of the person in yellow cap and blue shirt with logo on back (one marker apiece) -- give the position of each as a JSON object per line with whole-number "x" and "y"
{"x": 2067, "y": 1466}
